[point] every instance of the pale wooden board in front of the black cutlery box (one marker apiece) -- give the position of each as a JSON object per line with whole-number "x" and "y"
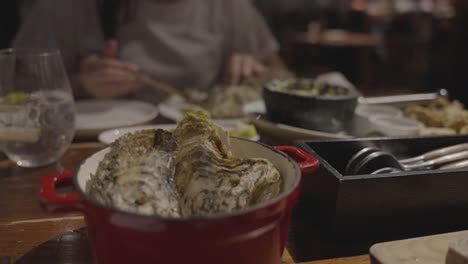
{"x": 427, "y": 250}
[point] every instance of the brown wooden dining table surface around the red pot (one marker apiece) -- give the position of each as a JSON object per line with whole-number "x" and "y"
{"x": 29, "y": 235}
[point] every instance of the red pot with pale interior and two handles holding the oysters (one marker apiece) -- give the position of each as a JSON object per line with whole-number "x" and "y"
{"x": 253, "y": 236}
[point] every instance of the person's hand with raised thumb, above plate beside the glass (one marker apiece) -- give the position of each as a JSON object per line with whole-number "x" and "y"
{"x": 106, "y": 77}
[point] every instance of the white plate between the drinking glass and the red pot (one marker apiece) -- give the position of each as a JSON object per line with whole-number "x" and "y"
{"x": 95, "y": 116}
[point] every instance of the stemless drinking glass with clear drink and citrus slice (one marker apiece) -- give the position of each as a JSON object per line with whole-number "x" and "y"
{"x": 37, "y": 113}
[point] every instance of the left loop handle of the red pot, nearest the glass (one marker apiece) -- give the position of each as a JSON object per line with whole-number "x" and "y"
{"x": 53, "y": 202}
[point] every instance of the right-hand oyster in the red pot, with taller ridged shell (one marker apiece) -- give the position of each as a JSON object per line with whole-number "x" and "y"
{"x": 210, "y": 179}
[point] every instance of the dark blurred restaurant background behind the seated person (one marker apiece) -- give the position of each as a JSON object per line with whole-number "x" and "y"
{"x": 383, "y": 46}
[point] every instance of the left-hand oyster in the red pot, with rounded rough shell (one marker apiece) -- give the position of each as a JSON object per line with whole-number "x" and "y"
{"x": 137, "y": 175}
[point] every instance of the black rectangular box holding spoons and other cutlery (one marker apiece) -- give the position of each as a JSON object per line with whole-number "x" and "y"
{"x": 352, "y": 212}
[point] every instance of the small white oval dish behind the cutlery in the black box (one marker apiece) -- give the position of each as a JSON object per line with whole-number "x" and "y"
{"x": 396, "y": 126}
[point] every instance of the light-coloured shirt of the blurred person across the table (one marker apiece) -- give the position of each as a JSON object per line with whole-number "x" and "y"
{"x": 184, "y": 43}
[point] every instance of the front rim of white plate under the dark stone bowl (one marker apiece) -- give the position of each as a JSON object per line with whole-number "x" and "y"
{"x": 291, "y": 133}
